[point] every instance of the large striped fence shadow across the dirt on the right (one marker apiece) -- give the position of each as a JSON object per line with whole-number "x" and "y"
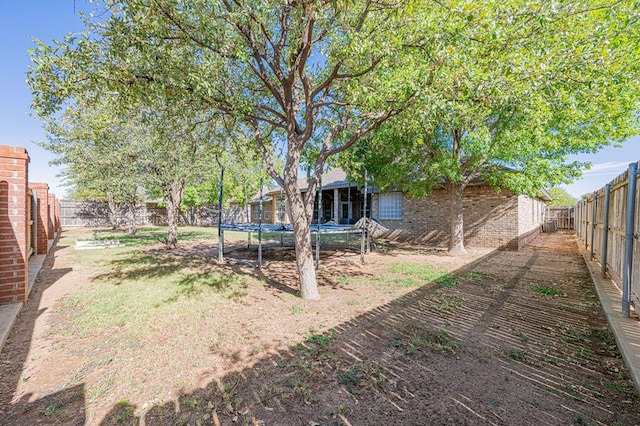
{"x": 515, "y": 338}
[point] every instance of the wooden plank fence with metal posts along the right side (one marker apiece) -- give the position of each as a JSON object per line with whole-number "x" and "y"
{"x": 608, "y": 223}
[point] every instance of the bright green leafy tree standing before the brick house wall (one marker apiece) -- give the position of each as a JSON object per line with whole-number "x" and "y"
{"x": 514, "y": 88}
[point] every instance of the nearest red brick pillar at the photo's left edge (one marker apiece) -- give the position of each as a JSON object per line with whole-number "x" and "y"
{"x": 14, "y": 163}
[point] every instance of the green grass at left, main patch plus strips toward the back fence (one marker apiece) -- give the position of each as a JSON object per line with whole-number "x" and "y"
{"x": 137, "y": 292}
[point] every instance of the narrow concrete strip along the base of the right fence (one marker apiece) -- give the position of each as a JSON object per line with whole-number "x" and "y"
{"x": 626, "y": 330}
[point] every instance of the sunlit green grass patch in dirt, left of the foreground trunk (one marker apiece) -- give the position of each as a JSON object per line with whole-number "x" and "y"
{"x": 144, "y": 297}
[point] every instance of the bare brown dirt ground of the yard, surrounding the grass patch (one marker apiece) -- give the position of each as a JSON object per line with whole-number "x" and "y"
{"x": 511, "y": 338}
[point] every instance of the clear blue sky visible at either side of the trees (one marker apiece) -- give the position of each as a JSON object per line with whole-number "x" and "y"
{"x": 23, "y": 20}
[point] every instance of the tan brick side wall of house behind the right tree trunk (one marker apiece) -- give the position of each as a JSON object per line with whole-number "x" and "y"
{"x": 491, "y": 219}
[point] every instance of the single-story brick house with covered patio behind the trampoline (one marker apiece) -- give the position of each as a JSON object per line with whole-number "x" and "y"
{"x": 492, "y": 218}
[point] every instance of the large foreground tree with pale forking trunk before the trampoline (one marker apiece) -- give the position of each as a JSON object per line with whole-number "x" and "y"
{"x": 277, "y": 67}
